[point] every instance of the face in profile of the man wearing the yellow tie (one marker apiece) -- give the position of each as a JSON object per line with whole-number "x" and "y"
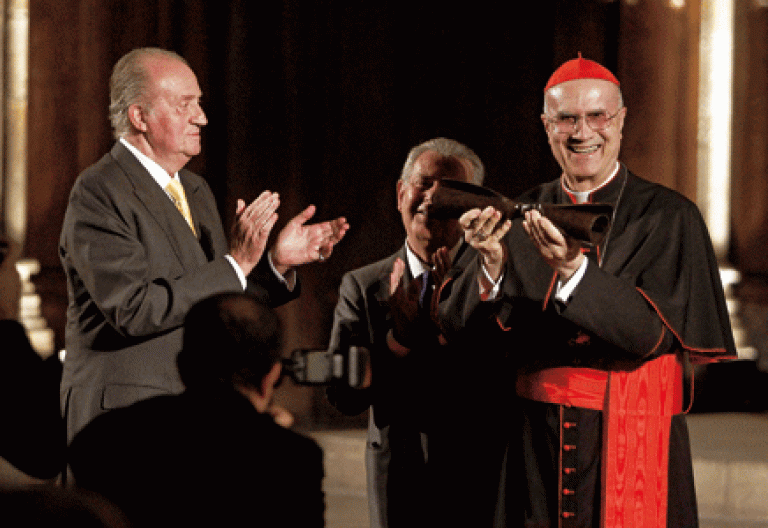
{"x": 170, "y": 118}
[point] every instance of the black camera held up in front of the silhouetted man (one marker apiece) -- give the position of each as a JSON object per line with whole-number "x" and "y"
{"x": 323, "y": 367}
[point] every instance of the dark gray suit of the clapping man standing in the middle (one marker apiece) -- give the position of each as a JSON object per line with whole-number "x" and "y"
{"x": 431, "y": 395}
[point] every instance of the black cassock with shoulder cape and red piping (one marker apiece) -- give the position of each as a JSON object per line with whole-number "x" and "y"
{"x": 651, "y": 294}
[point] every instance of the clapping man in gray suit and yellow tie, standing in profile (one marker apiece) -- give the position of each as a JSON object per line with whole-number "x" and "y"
{"x": 138, "y": 253}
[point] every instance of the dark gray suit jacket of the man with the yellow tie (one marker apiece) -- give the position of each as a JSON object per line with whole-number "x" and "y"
{"x": 134, "y": 268}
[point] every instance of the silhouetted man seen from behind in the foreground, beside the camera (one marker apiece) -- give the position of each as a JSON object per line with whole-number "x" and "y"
{"x": 211, "y": 456}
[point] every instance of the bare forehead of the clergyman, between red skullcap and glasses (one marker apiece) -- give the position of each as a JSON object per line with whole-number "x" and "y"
{"x": 583, "y": 95}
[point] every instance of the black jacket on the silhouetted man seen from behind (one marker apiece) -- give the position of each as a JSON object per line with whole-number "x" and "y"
{"x": 202, "y": 458}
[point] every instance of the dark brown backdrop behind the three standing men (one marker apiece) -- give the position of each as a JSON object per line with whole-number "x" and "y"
{"x": 321, "y": 101}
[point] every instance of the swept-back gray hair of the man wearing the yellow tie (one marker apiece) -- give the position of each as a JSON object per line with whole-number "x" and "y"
{"x": 129, "y": 85}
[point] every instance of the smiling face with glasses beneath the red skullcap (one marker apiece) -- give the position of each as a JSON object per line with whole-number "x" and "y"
{"x": 588, "y": 157}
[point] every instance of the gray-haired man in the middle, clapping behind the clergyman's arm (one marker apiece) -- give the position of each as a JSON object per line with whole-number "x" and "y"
{"x": 421, "y": 467}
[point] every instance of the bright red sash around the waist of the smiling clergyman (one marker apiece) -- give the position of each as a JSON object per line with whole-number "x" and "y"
{"x": 638, "y": 407}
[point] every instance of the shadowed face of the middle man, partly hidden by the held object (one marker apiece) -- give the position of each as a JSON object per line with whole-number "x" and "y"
{"x": 425, "y": 236}
